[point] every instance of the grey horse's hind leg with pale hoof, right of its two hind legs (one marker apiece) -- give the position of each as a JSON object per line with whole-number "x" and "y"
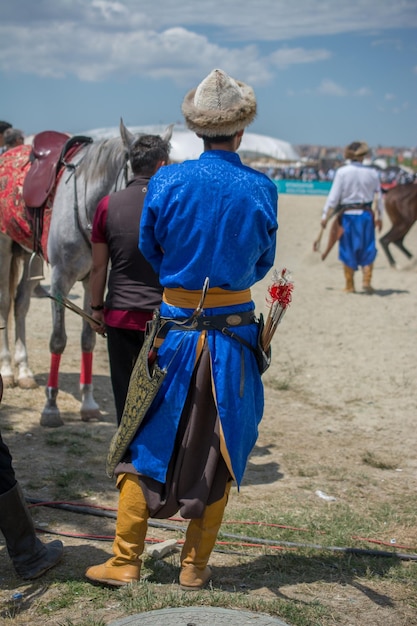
{"x": 26, "y": 379}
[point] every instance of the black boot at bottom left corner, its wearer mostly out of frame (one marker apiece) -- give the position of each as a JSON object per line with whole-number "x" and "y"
{"x": 30, "y": 557}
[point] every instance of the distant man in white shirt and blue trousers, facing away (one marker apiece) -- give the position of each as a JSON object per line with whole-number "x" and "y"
{"x": 355, "y": 188}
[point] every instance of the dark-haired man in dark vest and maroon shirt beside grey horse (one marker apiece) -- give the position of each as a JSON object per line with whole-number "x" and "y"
{"x": 133, "y": 289}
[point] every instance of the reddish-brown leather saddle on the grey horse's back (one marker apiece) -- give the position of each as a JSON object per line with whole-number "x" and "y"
{"x": 48, "y": 151}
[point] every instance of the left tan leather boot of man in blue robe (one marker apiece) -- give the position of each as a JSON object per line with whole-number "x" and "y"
{"x": 131, "y": 526}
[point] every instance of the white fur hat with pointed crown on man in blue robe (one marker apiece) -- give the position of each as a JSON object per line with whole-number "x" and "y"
{"x": 219, "y": 106}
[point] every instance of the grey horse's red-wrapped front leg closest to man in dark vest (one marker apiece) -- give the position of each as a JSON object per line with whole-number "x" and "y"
{"x": 89, "y": 407}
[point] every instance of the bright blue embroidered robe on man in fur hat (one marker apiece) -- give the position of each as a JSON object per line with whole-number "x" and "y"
{"x": 210, "y": 217}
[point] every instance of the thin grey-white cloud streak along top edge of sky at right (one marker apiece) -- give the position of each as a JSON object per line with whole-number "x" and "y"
{"x": 265, "y": 19}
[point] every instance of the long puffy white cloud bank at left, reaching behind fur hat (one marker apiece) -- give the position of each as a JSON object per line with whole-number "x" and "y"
{"x": 175, "y": 53}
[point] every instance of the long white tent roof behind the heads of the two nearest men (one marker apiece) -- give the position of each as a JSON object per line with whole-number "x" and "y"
{"x": 186, "y": 145}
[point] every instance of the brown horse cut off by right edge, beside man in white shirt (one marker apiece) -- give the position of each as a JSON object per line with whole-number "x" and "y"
{"x": 401, "y": 208}
